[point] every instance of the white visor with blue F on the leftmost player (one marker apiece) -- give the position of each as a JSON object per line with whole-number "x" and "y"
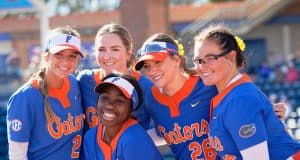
{"x": 58, "y": 42}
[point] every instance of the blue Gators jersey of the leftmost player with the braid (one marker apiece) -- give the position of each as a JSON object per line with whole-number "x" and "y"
{"x": 57, "y": 138}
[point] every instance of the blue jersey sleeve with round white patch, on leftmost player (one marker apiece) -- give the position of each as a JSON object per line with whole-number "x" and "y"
{"x": 20, "y": 118}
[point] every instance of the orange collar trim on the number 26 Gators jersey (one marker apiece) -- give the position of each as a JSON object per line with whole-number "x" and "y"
{"x": 172, "y": 102}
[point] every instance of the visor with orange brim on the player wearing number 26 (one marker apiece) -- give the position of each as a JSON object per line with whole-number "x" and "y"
{"x": 157, "y": 51}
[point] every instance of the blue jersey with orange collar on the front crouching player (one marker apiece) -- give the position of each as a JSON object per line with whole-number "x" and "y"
{"x": 131, "y": 142}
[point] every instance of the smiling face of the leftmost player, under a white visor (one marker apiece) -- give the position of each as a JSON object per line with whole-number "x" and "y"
{"x": 62, "y": 64}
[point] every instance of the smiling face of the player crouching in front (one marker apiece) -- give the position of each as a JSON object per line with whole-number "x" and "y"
{"x": 113, "y": 107}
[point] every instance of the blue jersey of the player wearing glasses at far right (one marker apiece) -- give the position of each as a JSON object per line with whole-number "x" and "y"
{"x": 243, "y": 117}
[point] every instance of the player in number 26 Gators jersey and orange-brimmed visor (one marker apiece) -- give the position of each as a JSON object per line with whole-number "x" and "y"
{"x": 179, "y": 102}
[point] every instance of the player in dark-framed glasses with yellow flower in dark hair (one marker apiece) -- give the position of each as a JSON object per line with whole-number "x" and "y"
{"x": 243, "y": 124}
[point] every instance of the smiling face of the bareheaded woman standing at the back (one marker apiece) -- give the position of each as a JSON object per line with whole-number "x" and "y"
{"x": 111, "y": 53}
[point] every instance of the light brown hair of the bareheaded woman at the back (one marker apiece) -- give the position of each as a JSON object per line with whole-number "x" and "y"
{"x": 124, "y": 35}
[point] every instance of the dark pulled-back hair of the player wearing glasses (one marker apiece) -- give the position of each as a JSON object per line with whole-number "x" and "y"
{"x": 224, "y": 38}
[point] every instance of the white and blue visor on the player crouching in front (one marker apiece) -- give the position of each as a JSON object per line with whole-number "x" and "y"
{"x": 125, "y": 87}
